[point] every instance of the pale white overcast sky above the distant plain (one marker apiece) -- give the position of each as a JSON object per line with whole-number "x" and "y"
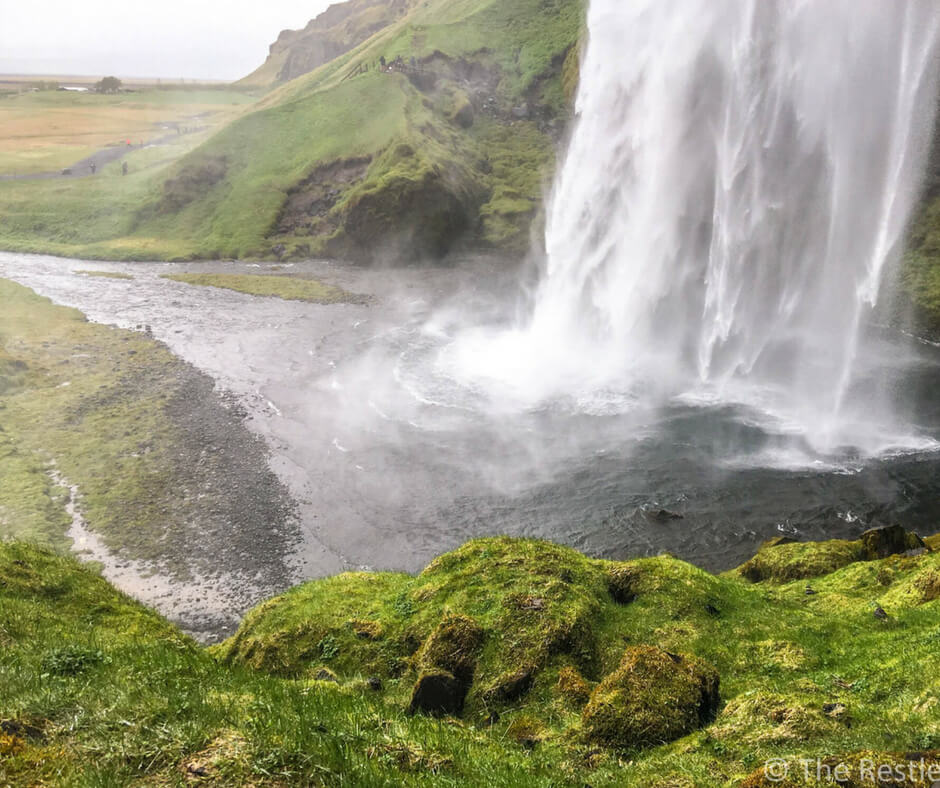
{"x": 193, "y": 39}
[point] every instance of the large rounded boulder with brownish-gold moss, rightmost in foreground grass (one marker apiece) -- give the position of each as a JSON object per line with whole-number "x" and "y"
{"x": 653, "y": 697}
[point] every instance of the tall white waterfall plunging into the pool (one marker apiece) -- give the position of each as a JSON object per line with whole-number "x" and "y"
{"x": 734, "y": 197}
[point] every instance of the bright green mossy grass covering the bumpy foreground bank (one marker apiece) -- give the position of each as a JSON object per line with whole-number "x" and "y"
{"x": 91, "y": 684}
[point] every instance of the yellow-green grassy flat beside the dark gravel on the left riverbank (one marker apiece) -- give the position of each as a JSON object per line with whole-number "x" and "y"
{"x": 94, "y": 401}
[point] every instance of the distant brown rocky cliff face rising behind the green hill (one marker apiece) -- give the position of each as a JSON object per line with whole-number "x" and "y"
{"x": 333, "y": 33}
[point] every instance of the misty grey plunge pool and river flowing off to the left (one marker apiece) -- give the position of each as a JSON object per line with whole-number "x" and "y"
{"x": 393, "y": 463}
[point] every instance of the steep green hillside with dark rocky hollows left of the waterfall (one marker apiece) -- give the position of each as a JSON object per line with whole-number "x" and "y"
{"x": 452, "y": 142}
